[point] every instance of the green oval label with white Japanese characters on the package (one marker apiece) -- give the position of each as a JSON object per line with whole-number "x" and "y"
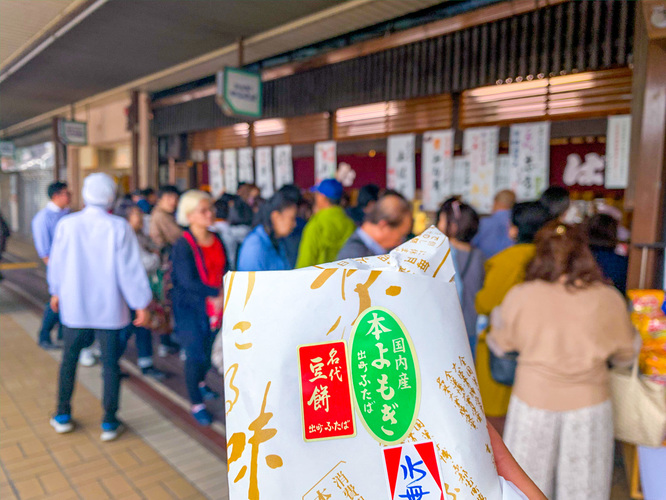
{"x": 385, "y": 375}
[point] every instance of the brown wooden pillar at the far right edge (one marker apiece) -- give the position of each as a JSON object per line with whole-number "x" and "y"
{"x": 647, "y": 177}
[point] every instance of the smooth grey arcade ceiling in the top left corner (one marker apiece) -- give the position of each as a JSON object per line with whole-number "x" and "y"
{"x": 123, "y": 40}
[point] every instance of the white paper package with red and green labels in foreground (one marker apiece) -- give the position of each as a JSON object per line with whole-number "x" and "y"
{"x": 332, "y": 370}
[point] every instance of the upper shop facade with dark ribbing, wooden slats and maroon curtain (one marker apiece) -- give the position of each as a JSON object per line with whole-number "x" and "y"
{"x": 493, "y": 74}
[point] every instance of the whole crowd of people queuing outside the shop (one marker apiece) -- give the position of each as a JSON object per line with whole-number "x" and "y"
{"x": 516, "y": 271}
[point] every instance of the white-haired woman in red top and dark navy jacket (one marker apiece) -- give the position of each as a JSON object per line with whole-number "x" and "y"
{"x": 199, "y": 261}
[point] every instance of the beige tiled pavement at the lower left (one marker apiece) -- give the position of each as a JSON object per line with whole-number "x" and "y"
{"x": 154, "y": 459}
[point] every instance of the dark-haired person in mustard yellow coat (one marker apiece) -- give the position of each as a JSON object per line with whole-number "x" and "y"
{"x": 503, "y": 271}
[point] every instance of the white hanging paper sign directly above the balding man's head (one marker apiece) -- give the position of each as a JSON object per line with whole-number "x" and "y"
{"x": 400, "y": 166}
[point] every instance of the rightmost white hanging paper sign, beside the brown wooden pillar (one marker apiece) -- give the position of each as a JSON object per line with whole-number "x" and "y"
{"x": 618, "y": 140}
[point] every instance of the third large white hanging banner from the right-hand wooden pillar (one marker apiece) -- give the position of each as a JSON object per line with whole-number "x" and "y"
{"x": 480, "y": 145}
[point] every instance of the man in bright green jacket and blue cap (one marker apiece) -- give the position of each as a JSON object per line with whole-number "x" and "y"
{"x": 328, "y": 229}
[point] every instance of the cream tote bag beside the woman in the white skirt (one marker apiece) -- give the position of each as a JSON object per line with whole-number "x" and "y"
{"x": 639, "y": 408}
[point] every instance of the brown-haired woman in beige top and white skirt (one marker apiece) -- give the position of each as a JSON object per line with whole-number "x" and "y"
{"x": 567, "y": 324}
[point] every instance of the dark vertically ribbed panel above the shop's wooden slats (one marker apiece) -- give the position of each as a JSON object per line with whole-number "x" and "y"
{"x": 562, "y": 39}
